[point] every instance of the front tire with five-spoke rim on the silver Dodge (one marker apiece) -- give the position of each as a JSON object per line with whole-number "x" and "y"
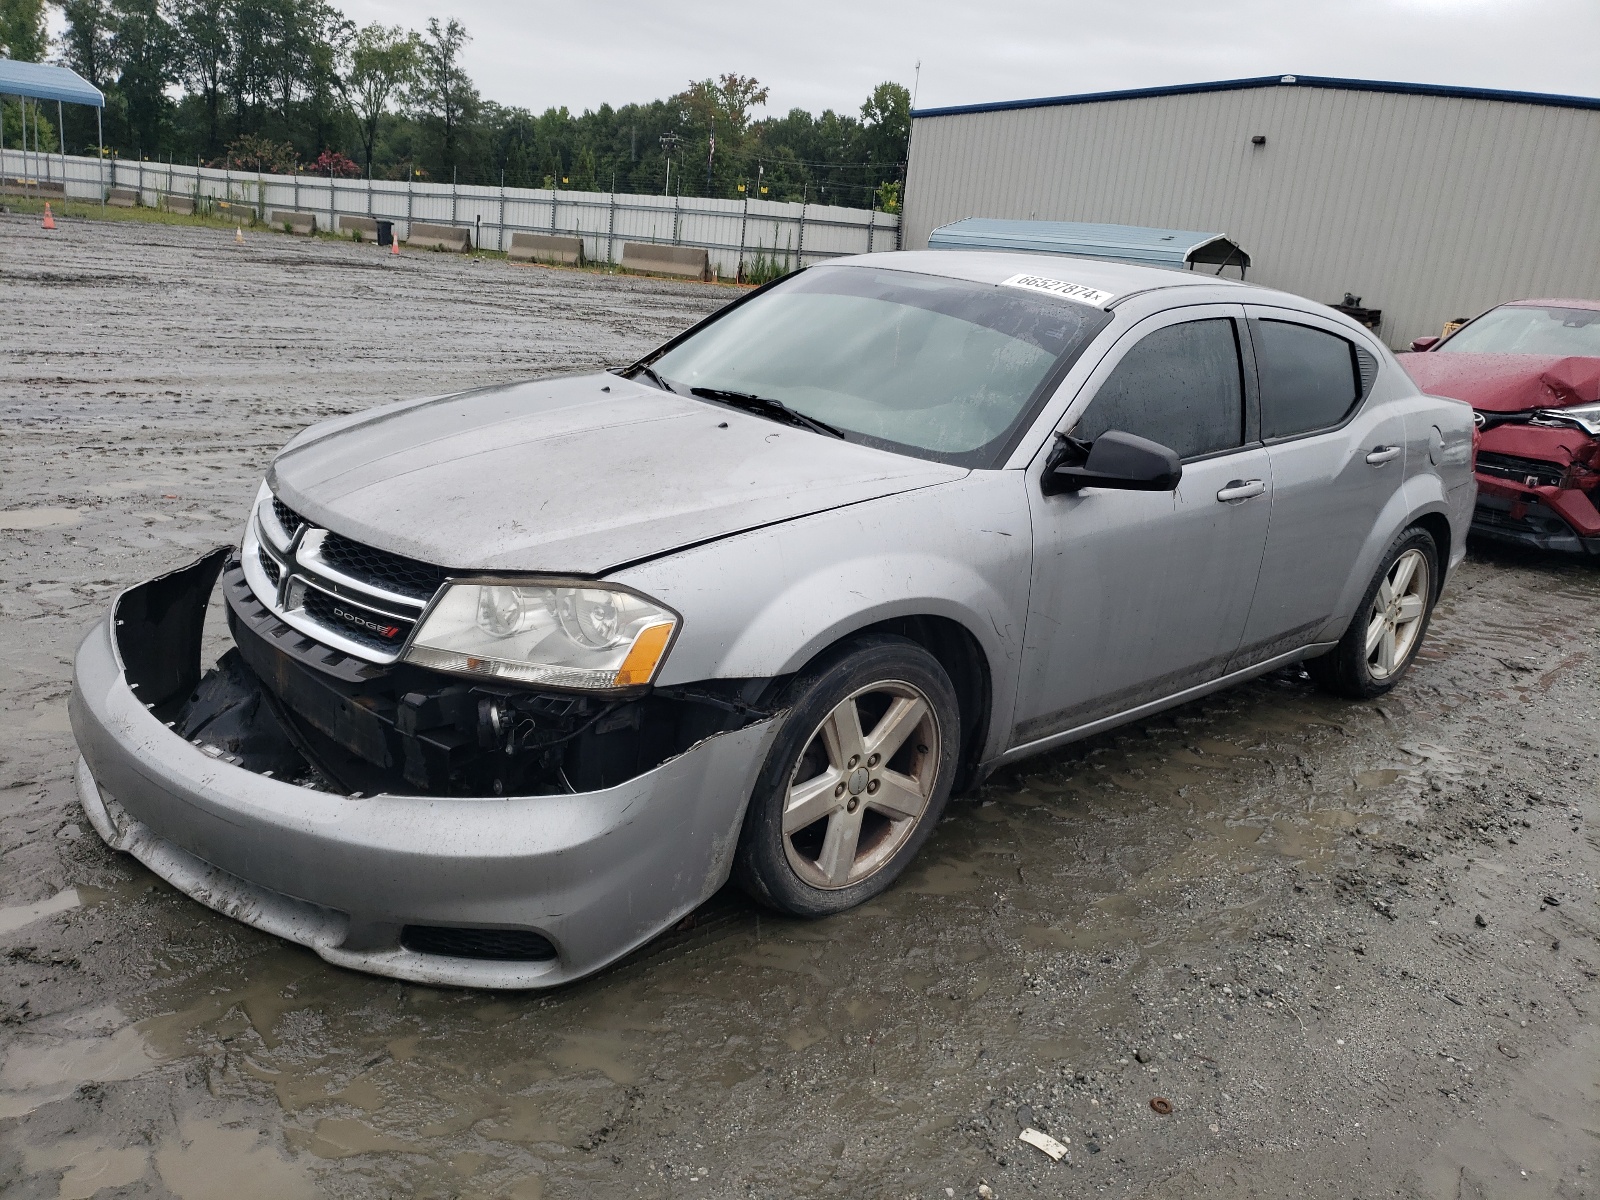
{"x": 873, "y": 793}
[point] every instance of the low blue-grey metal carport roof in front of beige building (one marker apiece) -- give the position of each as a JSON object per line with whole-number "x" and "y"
{"x": 1178, "y": 249}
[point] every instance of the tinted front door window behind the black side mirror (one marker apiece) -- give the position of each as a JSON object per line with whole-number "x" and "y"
{"x": 1178, "y": 386}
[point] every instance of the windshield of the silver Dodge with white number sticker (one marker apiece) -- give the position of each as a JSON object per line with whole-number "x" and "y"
{"x": 934, "y": 367}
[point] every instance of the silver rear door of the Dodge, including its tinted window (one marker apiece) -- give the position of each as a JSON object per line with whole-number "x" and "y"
{"x": 1335, "y": 465}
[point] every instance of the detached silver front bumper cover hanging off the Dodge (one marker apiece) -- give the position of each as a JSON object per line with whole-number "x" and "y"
{"x": 476, "y": 892}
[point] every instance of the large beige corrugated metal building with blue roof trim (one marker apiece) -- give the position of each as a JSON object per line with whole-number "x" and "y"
{"x": 1425, "y": 202}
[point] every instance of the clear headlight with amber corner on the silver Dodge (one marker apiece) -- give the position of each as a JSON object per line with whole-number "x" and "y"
{"x": 566, "y": 636}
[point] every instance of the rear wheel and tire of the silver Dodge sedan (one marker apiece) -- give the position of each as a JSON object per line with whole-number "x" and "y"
{"x": 1362, "y": 668}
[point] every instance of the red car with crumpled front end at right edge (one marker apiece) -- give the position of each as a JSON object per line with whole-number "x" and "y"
{"x": 1532, "y": 374}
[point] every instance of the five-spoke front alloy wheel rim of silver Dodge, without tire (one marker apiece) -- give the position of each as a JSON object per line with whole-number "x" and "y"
{"x": 862, "y": 785}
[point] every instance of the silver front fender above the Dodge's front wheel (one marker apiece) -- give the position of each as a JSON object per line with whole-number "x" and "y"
{"x": 767, "y": 602}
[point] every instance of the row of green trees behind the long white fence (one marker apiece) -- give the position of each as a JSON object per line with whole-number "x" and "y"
{"x": 190, "y": 79}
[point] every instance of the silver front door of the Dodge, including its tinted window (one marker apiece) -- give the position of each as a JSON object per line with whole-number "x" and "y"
{"x": 1138, "y": 596}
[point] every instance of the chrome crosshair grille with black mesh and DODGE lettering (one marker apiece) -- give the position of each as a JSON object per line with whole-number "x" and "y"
{"x": 346, "y": 596}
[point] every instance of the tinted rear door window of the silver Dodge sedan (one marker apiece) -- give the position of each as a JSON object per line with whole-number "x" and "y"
{"x": 1310, "y": 380}
